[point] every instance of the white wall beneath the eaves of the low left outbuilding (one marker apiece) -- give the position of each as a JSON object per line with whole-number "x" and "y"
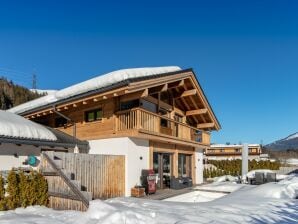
{"x": 8, "y": 160}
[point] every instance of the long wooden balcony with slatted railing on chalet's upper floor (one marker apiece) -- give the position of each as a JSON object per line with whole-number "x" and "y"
{"x": 145, "y": 122}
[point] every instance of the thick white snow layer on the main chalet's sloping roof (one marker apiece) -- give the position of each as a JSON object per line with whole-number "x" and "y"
{"x": 93, "y": 84}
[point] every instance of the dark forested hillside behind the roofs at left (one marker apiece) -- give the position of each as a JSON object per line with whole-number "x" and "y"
{"x": 12, "y": 95}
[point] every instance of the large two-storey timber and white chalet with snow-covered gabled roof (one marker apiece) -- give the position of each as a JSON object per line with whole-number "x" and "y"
{"x": 159, "y": 118}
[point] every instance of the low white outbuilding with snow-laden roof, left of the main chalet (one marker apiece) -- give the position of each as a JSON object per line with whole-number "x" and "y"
{"x": 22, "y": 142}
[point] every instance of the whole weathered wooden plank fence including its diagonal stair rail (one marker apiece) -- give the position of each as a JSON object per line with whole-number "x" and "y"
{"x": 75, "y": 179}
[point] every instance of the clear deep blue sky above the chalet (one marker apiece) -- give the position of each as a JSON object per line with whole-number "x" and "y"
{"x": 245, "y": 53}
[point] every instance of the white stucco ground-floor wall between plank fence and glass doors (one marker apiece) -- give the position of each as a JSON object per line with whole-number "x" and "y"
{"x": 136, "y": 152}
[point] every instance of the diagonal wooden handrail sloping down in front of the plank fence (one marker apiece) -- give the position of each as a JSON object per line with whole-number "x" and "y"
{"x": 67, "y": 181}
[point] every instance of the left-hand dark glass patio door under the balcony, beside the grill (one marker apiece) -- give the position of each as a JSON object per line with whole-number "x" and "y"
{"x": 162, "y": 165}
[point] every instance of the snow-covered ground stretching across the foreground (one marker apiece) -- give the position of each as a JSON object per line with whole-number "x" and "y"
{"x": 268, "y": 203}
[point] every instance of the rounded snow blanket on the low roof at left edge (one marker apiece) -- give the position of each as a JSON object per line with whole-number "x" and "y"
{"x": 14, "y": 126}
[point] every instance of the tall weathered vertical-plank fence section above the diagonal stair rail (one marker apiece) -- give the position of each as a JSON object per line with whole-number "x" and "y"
{"x": 103, "y": 175}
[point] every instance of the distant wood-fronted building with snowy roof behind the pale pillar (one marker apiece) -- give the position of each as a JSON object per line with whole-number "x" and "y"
{"x": 225, "y": 151}
